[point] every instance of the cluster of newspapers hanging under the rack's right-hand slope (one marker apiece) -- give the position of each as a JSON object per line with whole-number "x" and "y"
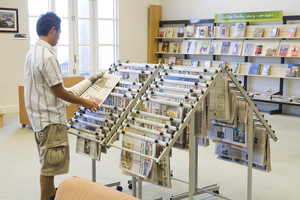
{"x": 229, "y": 128}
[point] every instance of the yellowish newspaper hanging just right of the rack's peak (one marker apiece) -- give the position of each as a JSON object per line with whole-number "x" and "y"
{"x": 219, "y": 108}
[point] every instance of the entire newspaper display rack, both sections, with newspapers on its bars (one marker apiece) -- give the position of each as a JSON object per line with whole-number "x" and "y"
{"x": 158, "y": 112}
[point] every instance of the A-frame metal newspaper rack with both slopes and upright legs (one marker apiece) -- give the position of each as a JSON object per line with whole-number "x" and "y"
{"x": 195, "y": 97}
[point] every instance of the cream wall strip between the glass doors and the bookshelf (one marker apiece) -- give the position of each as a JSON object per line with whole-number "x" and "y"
{"x": 134, "y": 29}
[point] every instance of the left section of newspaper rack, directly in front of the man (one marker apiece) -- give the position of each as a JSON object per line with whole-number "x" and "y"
{"x": 100, "y": 126}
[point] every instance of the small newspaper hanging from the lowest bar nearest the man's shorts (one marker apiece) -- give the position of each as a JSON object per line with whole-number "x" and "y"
{"x": 88, "y": 147}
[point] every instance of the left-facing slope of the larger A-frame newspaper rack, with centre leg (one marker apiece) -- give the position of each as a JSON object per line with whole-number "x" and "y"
{"x": 195, "y": 84}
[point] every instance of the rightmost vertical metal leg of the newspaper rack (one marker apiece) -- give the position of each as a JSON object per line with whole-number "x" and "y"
{"x": 250, "y": 151}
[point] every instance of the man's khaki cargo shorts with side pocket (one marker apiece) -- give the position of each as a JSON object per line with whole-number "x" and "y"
{"x": 53, "y": 147}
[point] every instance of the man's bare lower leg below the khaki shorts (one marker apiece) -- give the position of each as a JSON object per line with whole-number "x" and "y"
{"x": 47, "y": 187}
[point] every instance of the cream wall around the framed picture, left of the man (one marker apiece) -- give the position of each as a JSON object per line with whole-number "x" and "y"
{"x": 12, "y": 58}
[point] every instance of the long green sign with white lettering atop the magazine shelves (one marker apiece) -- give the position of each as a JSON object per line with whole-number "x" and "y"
{"x": 249, "y": 17}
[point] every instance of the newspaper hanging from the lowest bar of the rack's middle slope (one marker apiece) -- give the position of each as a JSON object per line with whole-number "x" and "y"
{"x": 138, "y": 165}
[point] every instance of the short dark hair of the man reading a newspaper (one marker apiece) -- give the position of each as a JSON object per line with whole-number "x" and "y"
{"x": 46, "y": 22}
